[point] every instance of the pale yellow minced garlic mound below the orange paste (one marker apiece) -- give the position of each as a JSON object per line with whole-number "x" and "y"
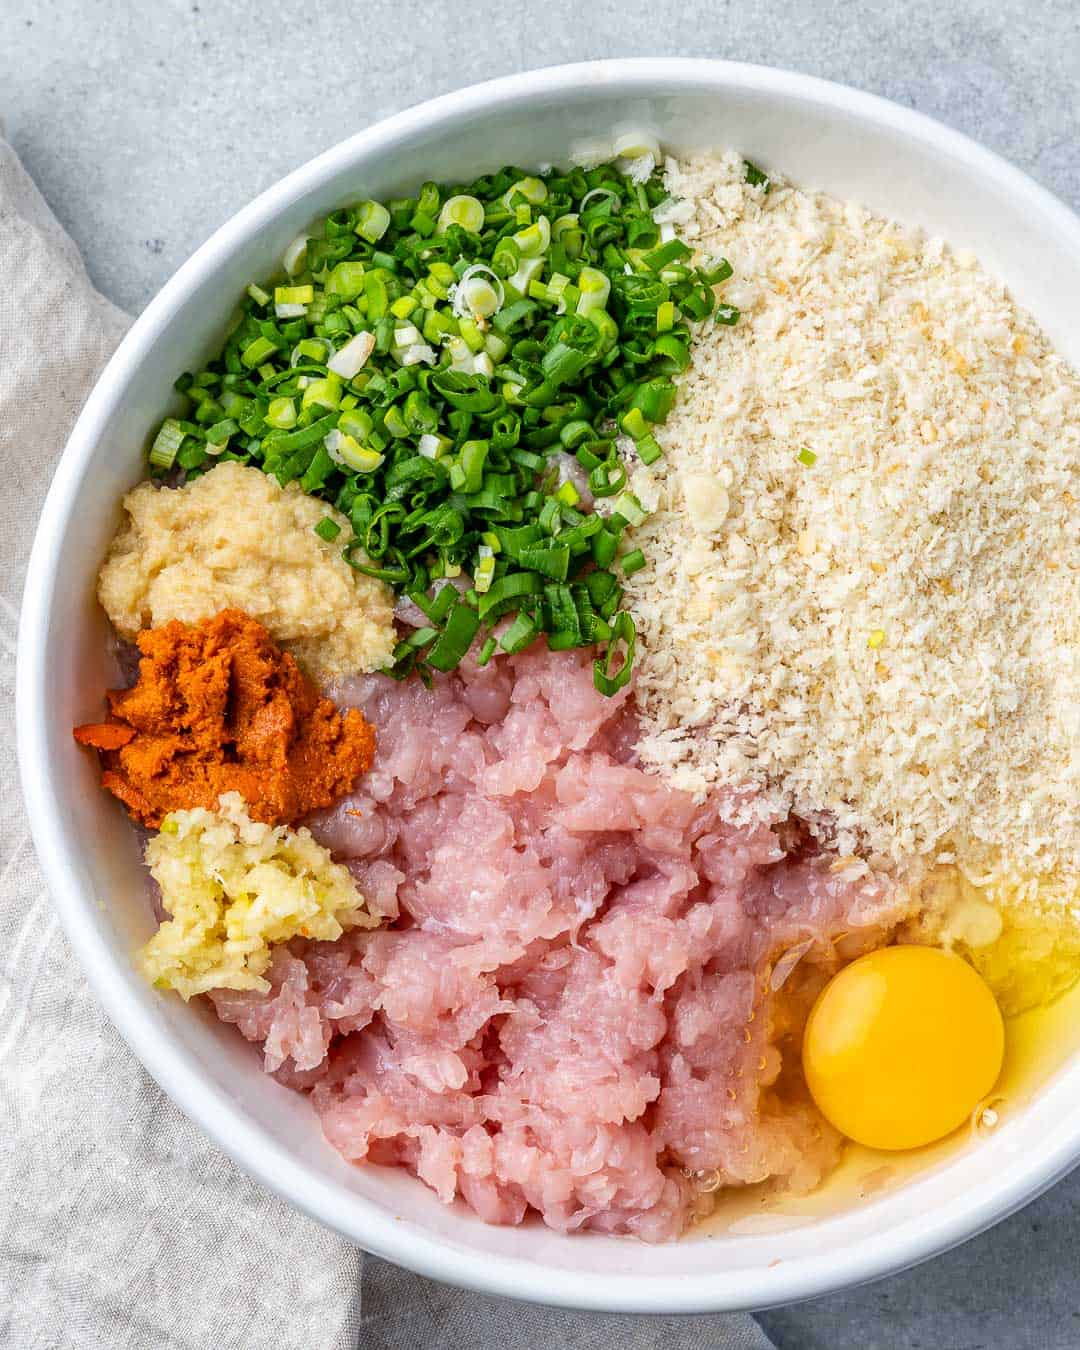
{"x": 236, "y": 888}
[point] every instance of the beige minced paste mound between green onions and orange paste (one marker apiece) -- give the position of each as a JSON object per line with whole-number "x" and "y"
{"x": 236, "y": 539}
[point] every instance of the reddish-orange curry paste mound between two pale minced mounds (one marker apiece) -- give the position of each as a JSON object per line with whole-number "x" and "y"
{"x": 218, "y": 708}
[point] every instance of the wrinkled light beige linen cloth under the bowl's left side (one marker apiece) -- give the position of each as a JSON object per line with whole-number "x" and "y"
{"x": 122, "y": 1226}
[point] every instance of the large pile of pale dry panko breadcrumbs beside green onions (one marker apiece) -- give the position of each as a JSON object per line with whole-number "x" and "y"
{"x": 863, "y": 592}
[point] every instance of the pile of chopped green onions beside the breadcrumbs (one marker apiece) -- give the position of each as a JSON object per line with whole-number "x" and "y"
{"x": 423, "y": 362}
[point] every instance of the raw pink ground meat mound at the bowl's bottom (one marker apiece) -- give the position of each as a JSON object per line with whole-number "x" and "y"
{"x": 569, "y": 1010}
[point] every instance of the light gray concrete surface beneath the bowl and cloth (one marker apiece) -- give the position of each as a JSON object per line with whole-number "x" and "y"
{"x": 148, "y": 125}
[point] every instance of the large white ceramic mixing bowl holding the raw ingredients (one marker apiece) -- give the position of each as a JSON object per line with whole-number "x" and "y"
{"x": 824, "y": 137}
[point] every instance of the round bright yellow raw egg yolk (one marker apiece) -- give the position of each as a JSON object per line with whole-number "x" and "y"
{"x": 902, "y": 1046}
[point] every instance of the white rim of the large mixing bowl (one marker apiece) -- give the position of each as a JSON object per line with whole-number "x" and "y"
{"x": 360, "y": 1220}
